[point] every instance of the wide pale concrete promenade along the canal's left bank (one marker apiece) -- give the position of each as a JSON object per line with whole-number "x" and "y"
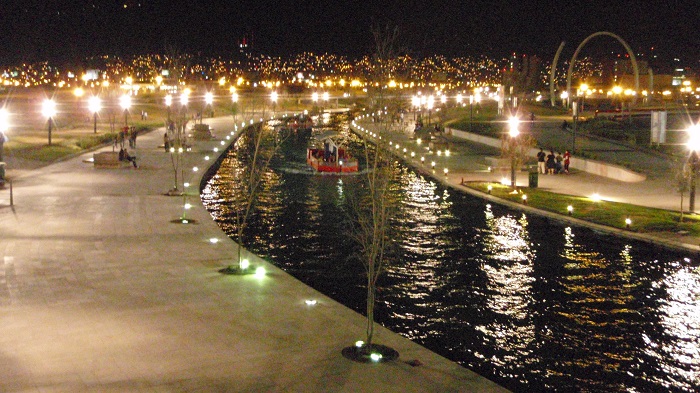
{"x": 100, "y": 292}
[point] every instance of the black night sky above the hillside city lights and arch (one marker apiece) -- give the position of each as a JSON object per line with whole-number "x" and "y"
{"x": 36, "y": 30}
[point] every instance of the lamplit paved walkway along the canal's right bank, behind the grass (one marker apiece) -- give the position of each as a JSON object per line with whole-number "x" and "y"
{"x": 470, "y": 161}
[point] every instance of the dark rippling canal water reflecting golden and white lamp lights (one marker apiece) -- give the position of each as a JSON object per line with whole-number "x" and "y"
{"x": 533, "y": 304}
